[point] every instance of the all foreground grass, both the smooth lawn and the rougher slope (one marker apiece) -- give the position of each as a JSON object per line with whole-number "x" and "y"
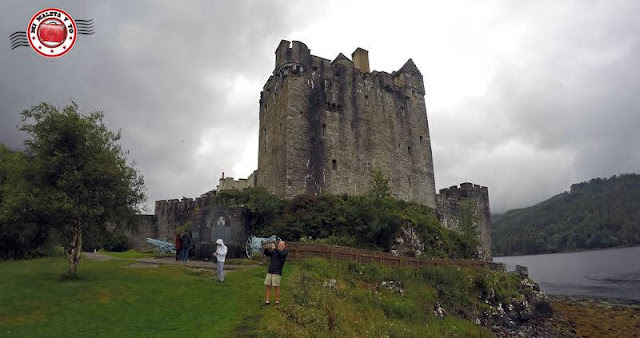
{"x": 111, "y": 301}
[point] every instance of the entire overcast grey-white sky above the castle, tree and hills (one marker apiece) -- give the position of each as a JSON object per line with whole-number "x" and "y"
{"x": 525, "y": 97}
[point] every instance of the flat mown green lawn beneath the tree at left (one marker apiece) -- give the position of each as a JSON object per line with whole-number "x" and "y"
{"x": 114, "y": 301}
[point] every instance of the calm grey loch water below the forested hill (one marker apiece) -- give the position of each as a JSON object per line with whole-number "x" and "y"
{"x": 610, "y": 273}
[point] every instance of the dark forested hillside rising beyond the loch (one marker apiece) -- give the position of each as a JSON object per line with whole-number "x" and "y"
{"x": 600, "y": 213}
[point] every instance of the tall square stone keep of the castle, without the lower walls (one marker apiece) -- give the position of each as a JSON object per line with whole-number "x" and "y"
{"x": 325, "y": 126}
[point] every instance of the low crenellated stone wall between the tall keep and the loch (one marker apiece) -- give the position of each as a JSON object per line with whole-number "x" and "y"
{"x": 448, "y": 212}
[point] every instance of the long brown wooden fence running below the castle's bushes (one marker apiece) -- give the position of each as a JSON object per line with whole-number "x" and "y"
{"x": 308, "y": 250}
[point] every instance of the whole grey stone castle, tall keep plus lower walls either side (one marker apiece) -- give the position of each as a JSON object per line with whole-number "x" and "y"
{"x": 325, "y": 126}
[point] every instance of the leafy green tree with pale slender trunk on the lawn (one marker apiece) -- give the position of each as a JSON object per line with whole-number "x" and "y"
{"x": 78, "y": 179}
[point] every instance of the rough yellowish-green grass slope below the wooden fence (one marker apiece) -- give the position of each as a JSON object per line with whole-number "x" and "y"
{"x": 355, "y": 307}
